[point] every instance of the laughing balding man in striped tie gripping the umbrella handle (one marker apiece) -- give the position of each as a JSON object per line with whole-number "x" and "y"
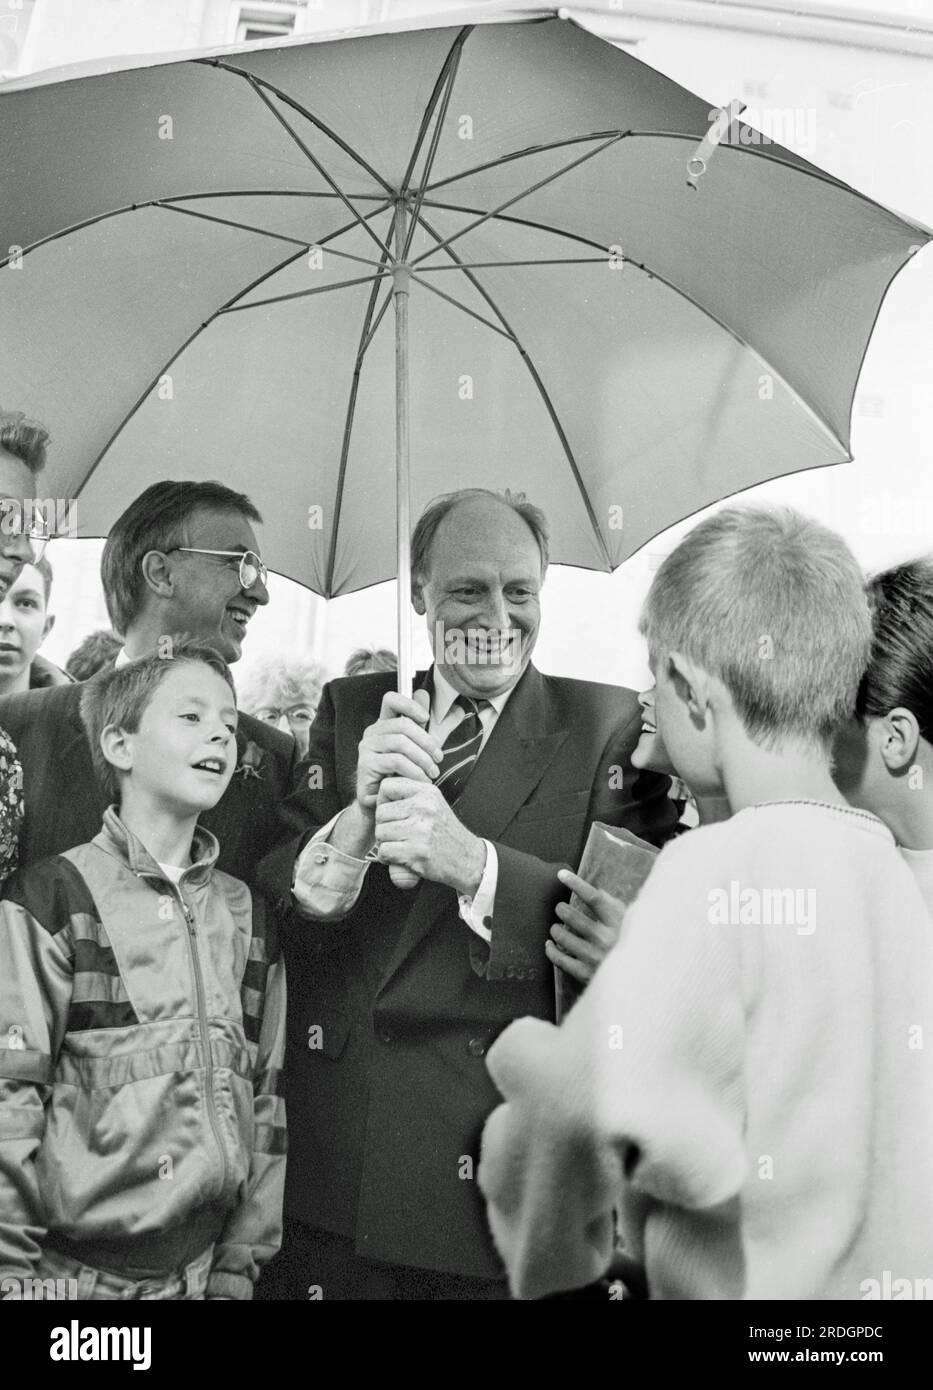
{"x": 483, "y": 786}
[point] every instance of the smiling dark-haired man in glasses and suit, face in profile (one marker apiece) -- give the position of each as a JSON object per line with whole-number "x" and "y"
{"x": 183, "y": 559}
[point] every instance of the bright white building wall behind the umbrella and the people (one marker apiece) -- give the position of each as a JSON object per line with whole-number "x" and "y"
{"x": 864, "y": 116}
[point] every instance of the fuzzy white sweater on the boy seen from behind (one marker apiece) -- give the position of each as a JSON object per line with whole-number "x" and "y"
{"x": 749, "y": 1079}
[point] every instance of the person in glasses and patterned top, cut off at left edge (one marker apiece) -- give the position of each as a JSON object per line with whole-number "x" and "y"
{"x": 23, "y": 541}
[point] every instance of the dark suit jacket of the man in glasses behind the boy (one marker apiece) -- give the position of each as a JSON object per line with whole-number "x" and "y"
{"x": 65, "y": 806}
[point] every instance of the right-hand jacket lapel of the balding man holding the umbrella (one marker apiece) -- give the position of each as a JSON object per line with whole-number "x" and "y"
{"x": 514, "y": 761}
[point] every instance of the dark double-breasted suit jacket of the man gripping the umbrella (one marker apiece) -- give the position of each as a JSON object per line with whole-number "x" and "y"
{"x": 391, "y": 1010}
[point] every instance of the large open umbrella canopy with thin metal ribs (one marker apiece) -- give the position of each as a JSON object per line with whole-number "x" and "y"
{"x": 204, "y": 259}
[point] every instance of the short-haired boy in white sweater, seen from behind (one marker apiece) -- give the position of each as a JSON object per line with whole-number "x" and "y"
{"x": 745, "y": 1079}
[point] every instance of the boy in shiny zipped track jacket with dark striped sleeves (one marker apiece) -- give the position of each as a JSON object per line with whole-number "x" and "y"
{"x": 143, "y": 1020}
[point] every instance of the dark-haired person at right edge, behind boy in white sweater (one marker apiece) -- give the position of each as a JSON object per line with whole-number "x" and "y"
{"x": 885, "y": 754}
